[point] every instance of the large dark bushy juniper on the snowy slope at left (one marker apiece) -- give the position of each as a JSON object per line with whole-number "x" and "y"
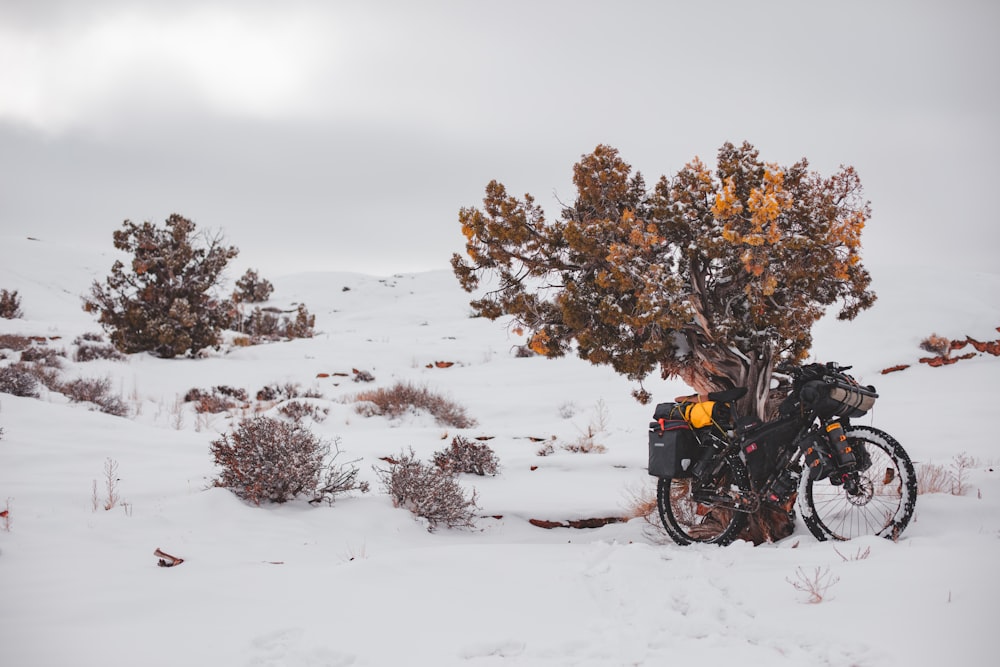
{"x": 163, "y": 302}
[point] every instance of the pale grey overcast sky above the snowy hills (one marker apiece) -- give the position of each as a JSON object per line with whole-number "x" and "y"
{"x": 324, "y": 135}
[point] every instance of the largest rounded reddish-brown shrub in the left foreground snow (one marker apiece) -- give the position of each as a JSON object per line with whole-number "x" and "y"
{"x": 267, "y": 459}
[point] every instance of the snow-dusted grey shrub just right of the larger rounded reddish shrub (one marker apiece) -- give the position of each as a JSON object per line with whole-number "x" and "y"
{"x": 428, "y": 492}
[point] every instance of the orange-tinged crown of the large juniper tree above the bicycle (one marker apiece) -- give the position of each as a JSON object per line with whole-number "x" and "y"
{"x": 713, "y": 277}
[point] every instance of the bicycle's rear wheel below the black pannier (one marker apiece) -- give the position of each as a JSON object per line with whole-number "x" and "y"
{"x": 688, "y": 521}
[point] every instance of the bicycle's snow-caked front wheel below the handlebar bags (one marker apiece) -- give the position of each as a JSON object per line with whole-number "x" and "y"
{"x": 878, "y": 500}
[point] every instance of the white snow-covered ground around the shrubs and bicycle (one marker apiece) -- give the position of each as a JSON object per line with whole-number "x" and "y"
{"x": 364, "y": 583}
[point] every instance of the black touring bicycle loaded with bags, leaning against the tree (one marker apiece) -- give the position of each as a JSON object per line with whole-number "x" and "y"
{"x": 715, "y": 468}
